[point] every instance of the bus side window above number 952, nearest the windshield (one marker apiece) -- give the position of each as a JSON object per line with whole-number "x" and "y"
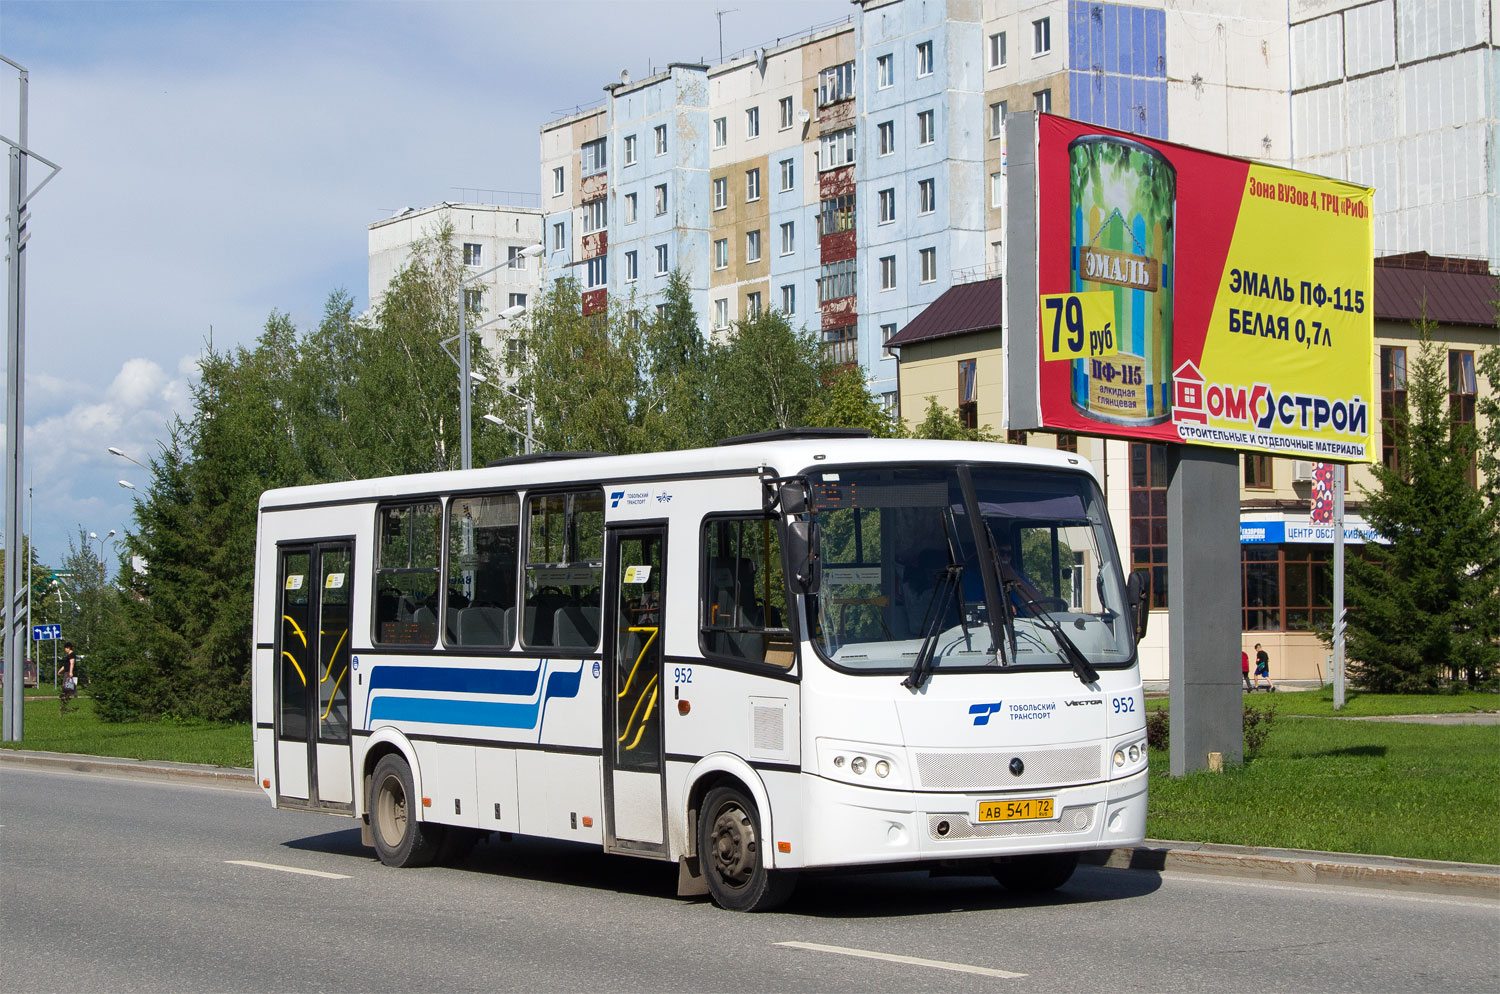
{"x": 745, "y": 593}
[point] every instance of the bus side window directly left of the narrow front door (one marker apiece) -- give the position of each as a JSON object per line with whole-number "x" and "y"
{"x": 563, "y": 570}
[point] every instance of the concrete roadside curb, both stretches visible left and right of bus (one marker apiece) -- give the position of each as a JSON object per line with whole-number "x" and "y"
{"x": 1285, "y": 866}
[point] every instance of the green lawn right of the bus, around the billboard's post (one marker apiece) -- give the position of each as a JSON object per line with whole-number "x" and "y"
{"x": 1429, "y": 792}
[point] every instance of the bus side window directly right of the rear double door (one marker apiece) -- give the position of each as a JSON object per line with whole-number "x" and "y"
{"x": 407, "y": 575}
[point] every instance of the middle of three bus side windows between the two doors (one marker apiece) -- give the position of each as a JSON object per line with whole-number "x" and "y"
{"x": 484, "y": 537}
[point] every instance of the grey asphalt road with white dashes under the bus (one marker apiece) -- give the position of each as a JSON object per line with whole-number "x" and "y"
{"x": 131, "y": 885}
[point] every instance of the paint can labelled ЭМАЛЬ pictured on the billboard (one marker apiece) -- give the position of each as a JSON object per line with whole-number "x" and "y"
{"x": 1123, "y": 221}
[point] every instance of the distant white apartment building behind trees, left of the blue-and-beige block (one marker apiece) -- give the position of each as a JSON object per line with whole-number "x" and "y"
{"x": 487, "y": 236}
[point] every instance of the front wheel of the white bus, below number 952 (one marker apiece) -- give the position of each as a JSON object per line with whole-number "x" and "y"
{"x": 731, "y": 855}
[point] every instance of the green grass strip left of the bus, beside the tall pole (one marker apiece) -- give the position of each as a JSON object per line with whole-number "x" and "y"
{"x": 47, "y": 731}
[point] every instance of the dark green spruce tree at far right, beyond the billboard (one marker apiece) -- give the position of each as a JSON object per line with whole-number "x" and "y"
{"x": 1424, "y": 605}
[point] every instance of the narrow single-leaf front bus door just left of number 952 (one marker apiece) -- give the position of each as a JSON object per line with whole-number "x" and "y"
{"x": 635, "y": 792}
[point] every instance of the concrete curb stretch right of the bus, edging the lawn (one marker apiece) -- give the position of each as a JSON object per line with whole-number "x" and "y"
{"x": 1300, "y": 866}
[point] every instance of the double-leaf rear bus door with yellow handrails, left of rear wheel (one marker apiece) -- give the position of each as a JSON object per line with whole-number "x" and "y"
{"x": 313, "y": 678}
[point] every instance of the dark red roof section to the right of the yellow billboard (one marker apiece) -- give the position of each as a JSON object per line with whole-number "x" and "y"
{"x": 1448, "y": 292}
